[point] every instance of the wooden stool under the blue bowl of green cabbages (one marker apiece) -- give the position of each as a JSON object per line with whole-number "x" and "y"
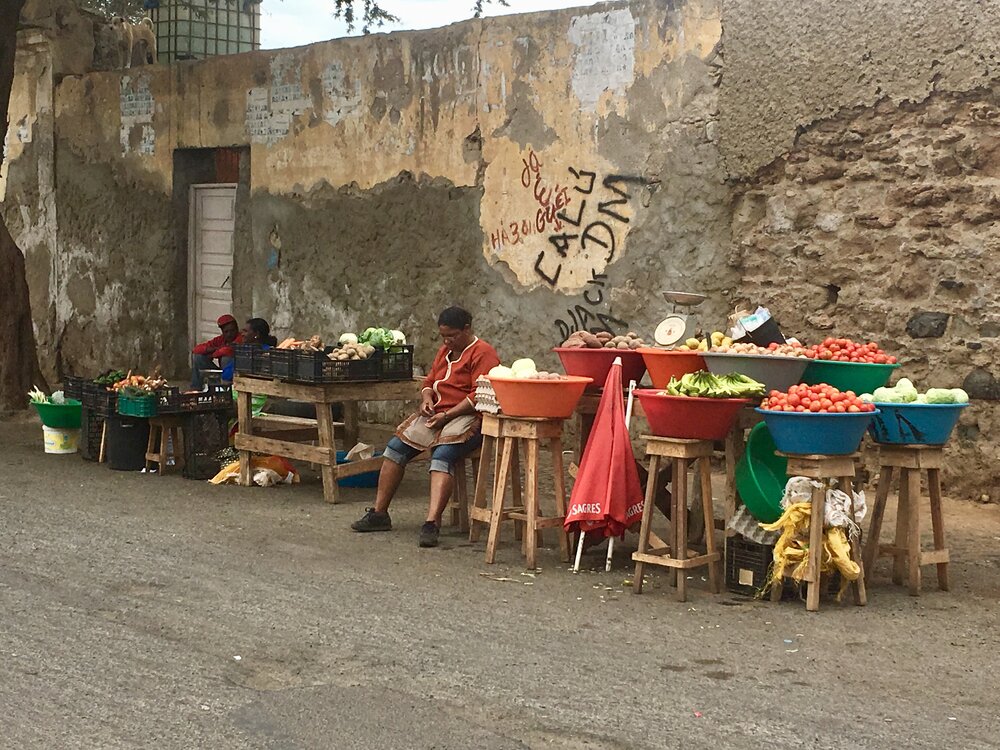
{"x": 911, "y": 461}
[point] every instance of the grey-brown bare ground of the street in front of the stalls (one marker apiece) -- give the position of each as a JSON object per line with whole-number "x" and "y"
{"x": 153, "y": 612}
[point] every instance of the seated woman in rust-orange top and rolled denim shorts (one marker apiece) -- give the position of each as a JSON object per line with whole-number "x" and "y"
{"x": 447, "y": 424}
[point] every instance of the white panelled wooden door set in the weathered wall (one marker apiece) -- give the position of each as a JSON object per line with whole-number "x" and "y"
{"x": 210, "y": 271}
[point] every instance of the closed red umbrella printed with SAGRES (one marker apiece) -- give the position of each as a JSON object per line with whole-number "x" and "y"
{"x": 607, "y": 497}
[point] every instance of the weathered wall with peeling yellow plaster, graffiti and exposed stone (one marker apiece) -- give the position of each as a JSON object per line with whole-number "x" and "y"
{"x": 550, "y": 172}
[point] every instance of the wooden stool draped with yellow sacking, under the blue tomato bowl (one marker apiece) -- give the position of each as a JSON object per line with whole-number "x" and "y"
{"x": 841, "y": 468}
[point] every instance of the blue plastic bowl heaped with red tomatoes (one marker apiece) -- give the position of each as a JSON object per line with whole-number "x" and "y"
{"x": 802, "y": 433}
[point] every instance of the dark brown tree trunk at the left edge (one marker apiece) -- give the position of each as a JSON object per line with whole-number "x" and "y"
{"x": 18, "y": 356}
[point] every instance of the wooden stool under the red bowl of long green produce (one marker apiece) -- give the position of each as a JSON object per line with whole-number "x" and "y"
{"x": 684, "y": 454}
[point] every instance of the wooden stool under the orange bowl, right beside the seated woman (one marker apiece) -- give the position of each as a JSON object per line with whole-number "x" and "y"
{"x": 501, "y": 438}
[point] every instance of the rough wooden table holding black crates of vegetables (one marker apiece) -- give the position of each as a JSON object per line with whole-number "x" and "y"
{"x": 284, "y": 436}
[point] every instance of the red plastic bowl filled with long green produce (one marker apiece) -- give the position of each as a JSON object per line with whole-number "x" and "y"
{"x": 688, "y": 417}
